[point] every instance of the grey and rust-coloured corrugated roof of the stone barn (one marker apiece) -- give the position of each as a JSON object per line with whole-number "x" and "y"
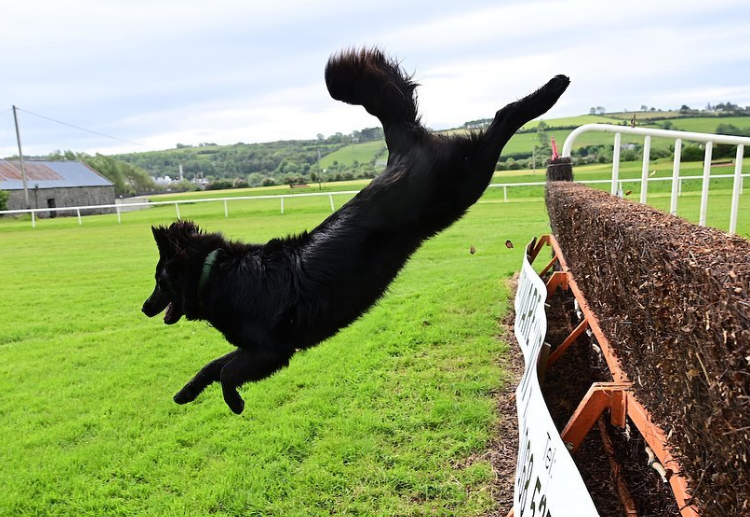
{"x": 49, "y": 175}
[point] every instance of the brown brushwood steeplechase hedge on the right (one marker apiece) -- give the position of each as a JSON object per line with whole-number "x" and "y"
{"x": 673, "y": 299}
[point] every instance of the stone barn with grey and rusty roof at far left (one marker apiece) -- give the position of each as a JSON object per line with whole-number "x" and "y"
{"x": 56, "y": 185}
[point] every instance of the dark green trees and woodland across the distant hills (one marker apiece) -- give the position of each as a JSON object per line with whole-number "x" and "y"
{"x": 211, "y": 166}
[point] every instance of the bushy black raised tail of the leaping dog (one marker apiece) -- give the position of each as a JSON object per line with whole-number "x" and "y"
{"x": 368, "y": 78}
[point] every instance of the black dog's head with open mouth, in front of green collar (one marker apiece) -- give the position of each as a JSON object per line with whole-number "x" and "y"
{"x": 169, "y": 271}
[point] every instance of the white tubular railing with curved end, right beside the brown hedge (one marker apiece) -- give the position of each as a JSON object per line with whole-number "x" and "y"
{"x": 678, "y": 137}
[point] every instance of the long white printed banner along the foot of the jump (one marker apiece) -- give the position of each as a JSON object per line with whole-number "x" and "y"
{"x": 548, "y": 483}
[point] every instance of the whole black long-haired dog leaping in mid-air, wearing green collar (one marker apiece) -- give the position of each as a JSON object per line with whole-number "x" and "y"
{"x": 292, "y": 293}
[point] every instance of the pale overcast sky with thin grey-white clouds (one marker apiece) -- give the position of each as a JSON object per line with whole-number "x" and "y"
{"x": 155, "y": 73}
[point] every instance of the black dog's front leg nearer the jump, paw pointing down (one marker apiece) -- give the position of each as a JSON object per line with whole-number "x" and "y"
{"x": 248, "y": 365}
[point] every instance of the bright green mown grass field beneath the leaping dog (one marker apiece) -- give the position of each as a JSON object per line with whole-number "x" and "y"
{"x": 387, "y": 418}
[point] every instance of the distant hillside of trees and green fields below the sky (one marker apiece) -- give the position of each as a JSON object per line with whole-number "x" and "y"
{"x": 363, "y": 153}
